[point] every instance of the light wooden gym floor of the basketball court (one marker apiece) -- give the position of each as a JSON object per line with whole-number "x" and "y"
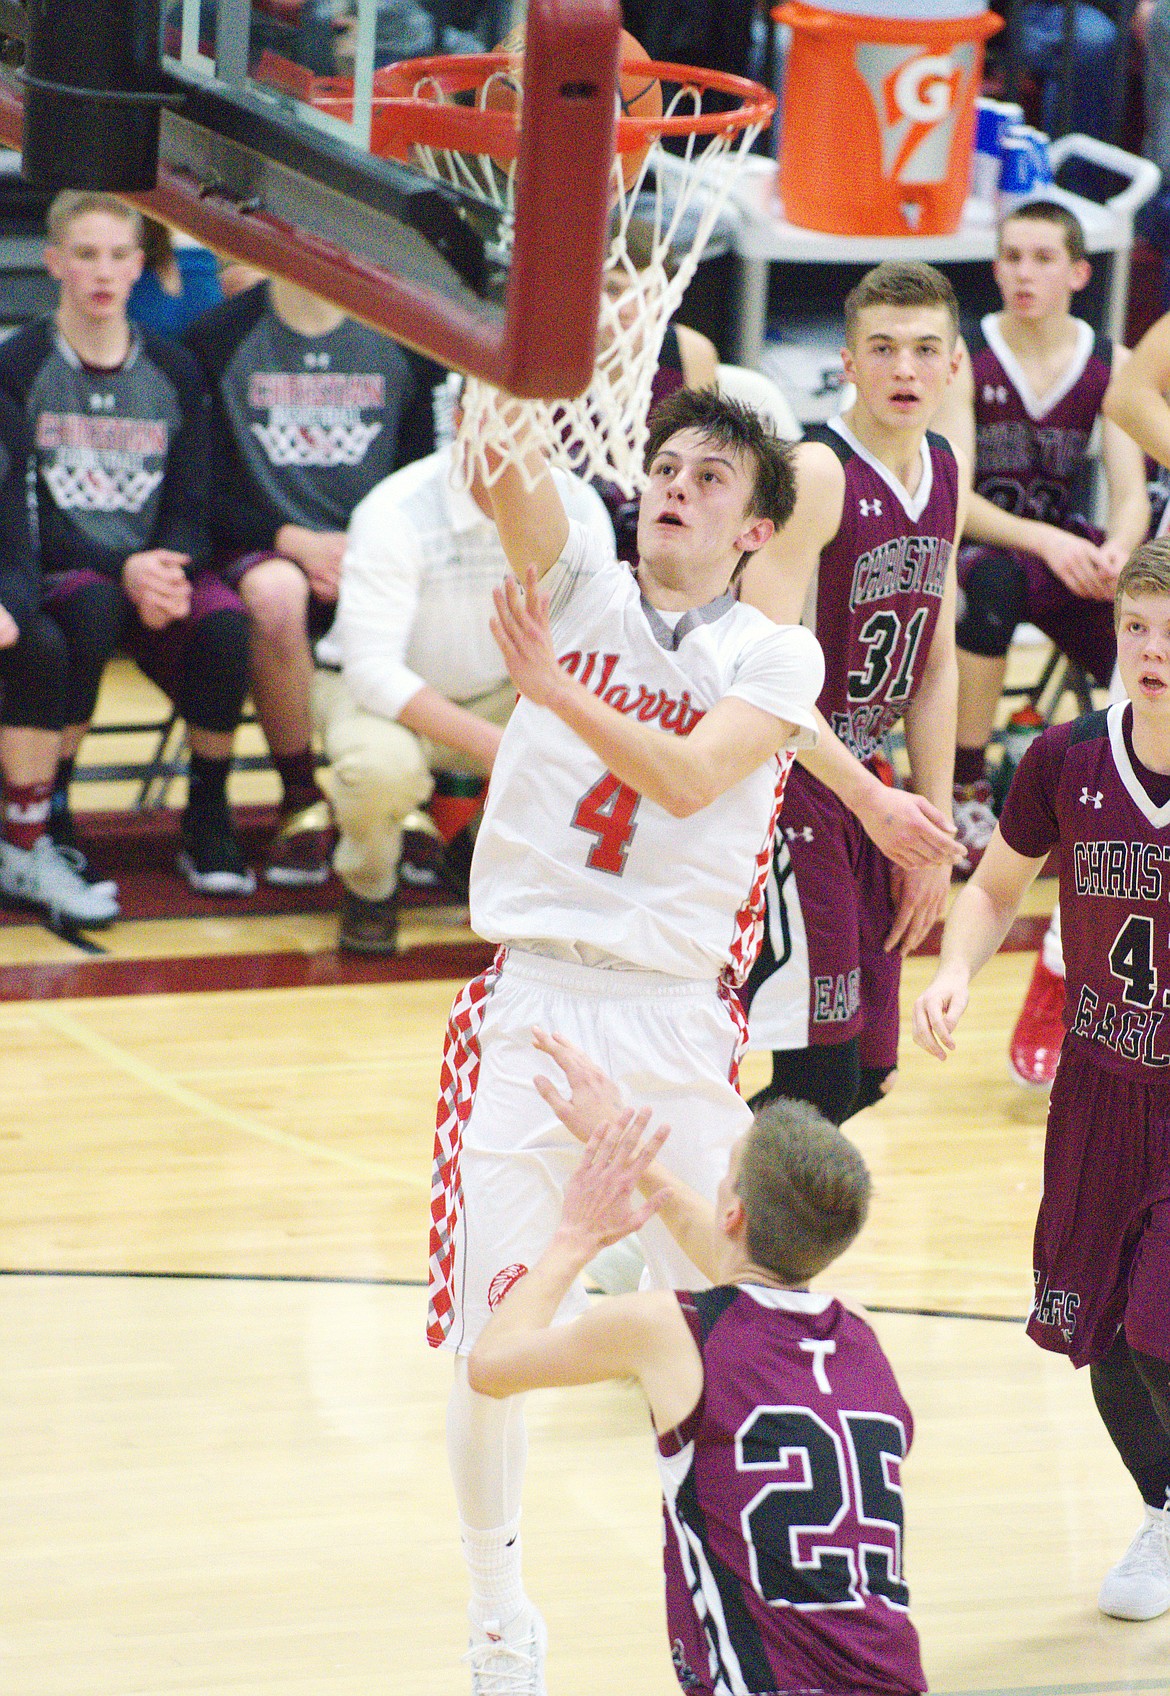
{"x": 221, "y": 1434}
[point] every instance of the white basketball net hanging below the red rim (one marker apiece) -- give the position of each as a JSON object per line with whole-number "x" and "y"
{"x": 603, "y": 433}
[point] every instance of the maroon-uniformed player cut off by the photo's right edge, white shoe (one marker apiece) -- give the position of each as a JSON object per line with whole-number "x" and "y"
{"x": 1100, "y": 791}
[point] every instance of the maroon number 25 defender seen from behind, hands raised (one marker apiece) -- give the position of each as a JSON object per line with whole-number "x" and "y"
{"x": 781, "y": 1425}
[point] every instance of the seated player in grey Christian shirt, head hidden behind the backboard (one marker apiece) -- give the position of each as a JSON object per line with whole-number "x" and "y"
{"x": 309, "y": 411}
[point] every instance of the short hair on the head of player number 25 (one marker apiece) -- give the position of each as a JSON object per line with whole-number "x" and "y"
{"x": 805, "y": 1190}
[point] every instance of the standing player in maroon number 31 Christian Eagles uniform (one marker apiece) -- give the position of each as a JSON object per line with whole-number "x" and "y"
{"x": 861, "y": 869}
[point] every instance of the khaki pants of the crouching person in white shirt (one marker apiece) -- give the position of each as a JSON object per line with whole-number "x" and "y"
{"x": 379, "y": 773}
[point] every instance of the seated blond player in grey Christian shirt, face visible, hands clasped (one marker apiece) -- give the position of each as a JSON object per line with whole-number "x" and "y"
{"x": 120, "y": 437}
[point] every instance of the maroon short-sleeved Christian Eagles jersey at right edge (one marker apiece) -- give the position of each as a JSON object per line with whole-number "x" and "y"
{"x": 1079, "y": 786}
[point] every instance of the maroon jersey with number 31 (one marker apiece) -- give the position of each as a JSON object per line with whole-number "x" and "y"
{"x": 879, "y": 586}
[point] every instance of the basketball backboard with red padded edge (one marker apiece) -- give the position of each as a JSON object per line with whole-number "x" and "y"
{"x": 274, "y": 150}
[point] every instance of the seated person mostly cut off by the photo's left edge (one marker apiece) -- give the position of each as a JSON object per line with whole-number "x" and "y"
{"x": 35, "y": 672}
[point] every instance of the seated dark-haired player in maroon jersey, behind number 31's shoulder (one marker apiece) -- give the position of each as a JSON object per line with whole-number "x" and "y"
{"x": 1028, "y": 411}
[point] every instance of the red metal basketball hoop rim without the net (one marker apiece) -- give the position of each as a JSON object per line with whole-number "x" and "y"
{"x": 474, "y": 130}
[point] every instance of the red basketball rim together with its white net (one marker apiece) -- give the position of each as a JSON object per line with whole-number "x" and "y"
{"x": 457, "y": 121}
